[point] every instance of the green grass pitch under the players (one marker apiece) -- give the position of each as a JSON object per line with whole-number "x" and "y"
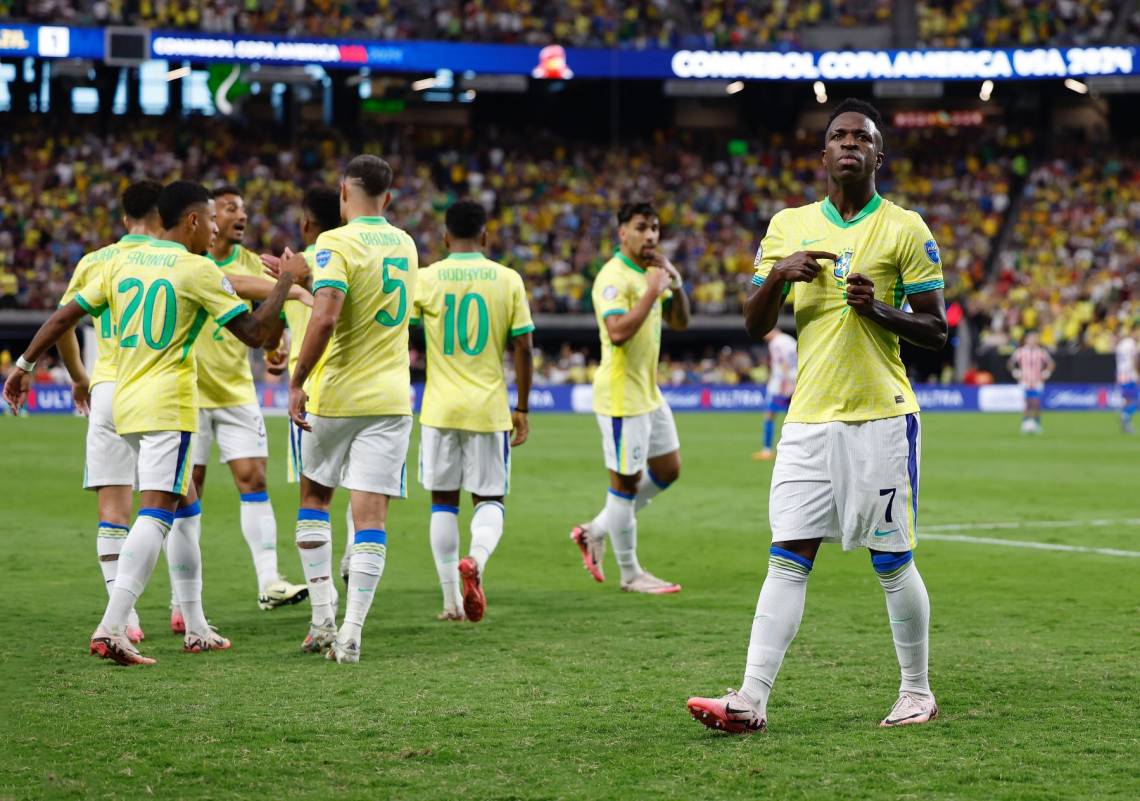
{"x": 571, "y": 690}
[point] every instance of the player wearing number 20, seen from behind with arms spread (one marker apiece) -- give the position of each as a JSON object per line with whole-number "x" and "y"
{"x": 160, "y": 296}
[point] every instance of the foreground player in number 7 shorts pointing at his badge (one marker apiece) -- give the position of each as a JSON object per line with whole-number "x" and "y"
{"x": 848, "y": 468}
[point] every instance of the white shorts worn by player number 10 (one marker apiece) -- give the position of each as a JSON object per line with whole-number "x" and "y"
{"x": 471, "y": 461}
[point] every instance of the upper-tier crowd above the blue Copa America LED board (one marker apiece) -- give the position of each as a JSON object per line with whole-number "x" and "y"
{"x": 727, "y": 24}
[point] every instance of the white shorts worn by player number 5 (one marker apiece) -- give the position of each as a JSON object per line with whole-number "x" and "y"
{"x": 364, "y": 454}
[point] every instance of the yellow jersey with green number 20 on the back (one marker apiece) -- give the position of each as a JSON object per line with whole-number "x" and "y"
{"x": 160, "y": 297}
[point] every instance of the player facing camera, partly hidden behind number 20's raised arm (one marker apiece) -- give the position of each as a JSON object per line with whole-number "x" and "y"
{"x": 230, "y": 415}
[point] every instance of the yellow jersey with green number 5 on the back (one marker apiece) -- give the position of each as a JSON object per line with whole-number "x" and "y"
{"x": 365, "y": 371}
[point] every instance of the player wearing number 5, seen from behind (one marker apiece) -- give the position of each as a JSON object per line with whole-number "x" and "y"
{"x": 357, "y": 398}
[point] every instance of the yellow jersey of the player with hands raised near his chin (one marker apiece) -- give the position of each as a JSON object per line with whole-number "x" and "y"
{"x": 625, "y": 383}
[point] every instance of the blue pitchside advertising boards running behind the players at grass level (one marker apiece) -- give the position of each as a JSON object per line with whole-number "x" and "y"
{"x": 47, "y": 399}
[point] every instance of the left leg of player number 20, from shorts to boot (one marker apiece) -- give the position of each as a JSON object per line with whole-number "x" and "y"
{"x": 164, "y": 479}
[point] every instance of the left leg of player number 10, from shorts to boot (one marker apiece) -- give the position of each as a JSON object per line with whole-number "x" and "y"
{"x": 442, "y": 473}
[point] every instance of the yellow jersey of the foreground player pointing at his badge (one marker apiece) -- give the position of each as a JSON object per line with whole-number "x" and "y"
{"x": 850, "y": 367}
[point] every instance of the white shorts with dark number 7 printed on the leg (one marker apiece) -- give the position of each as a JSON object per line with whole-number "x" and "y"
{"x": 853, "y": 484}
